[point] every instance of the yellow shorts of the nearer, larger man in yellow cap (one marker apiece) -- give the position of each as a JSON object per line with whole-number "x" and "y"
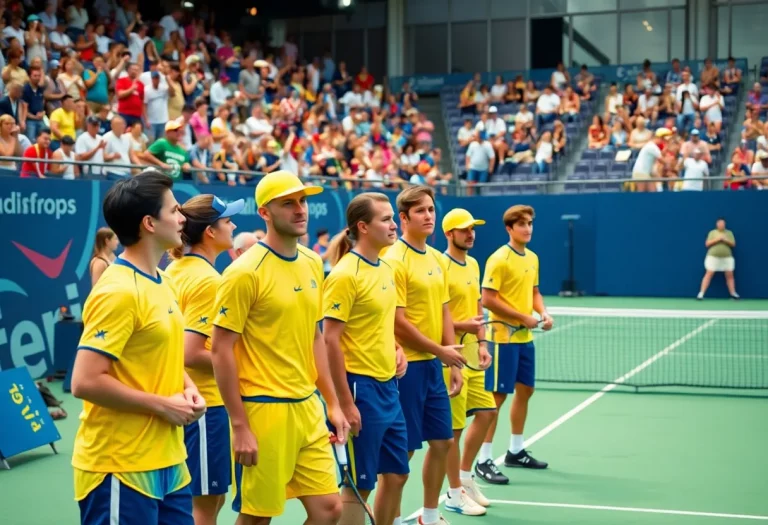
{"x": 295, "y": 457}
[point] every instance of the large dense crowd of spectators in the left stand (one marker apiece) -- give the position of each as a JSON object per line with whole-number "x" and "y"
{"x": 105, "y": 87}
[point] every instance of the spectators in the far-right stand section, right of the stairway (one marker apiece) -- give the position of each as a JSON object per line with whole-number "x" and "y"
{"x": 694, "y": 111}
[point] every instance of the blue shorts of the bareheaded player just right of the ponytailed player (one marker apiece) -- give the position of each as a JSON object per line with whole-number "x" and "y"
{"x": 425, "y": 402}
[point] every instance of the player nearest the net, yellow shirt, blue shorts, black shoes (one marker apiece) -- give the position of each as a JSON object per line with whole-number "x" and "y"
{"x": 511, "y": 293}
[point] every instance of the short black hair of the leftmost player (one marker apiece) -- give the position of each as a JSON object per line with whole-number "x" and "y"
{"x": 130, "y": 200}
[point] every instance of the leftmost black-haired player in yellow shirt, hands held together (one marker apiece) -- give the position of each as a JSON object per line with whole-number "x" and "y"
{"x": 129, "y": 371}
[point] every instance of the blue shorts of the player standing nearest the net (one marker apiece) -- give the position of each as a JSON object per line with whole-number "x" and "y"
{"x": 512, "y": 363}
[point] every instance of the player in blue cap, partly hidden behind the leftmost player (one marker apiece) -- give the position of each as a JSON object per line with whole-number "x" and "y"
{"x": 207, "y": 232}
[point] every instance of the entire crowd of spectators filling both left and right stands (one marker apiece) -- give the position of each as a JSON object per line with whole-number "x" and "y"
{"x": 110, "y": 90}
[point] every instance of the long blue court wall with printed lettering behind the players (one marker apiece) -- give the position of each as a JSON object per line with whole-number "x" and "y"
{"x": 625, "y": 245}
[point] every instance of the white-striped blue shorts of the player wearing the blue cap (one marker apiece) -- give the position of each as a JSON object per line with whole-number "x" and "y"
{"x": 209, "y": 453}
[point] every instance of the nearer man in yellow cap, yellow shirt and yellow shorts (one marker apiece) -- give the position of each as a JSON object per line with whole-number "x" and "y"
{"x": 269, "y": 359}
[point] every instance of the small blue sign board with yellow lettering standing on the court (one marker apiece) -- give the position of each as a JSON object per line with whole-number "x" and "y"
{"x": 26, "y": 421}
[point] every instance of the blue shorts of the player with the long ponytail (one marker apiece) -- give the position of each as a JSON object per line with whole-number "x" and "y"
{"x": 382, "y": 445}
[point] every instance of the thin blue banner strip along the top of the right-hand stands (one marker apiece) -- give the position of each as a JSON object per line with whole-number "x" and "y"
{"x": 433, "y": 84}
